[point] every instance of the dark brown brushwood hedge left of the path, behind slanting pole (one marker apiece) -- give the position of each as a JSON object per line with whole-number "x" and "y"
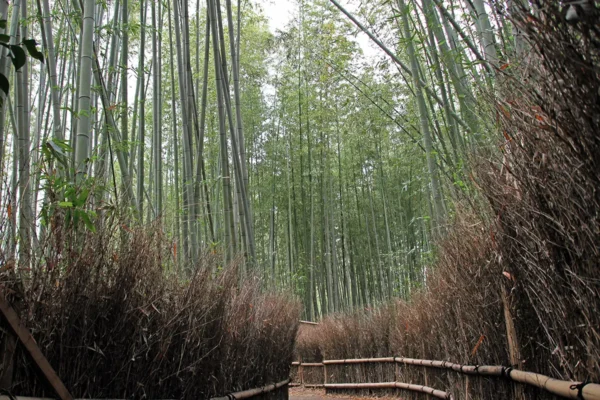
{"x": 114, "y": 324}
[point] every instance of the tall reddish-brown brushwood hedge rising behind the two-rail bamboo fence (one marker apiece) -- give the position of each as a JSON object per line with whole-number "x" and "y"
{"x": 515, "y": 281}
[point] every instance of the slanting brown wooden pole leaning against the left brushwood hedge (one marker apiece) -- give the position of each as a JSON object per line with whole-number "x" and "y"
{"x": 34, "y": 351}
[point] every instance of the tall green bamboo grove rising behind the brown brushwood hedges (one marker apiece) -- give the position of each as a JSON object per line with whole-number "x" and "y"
{"x": 330, "y": 175}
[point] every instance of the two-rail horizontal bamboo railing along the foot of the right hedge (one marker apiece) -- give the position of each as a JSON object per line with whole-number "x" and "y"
{"x": 566, "y": 389}
